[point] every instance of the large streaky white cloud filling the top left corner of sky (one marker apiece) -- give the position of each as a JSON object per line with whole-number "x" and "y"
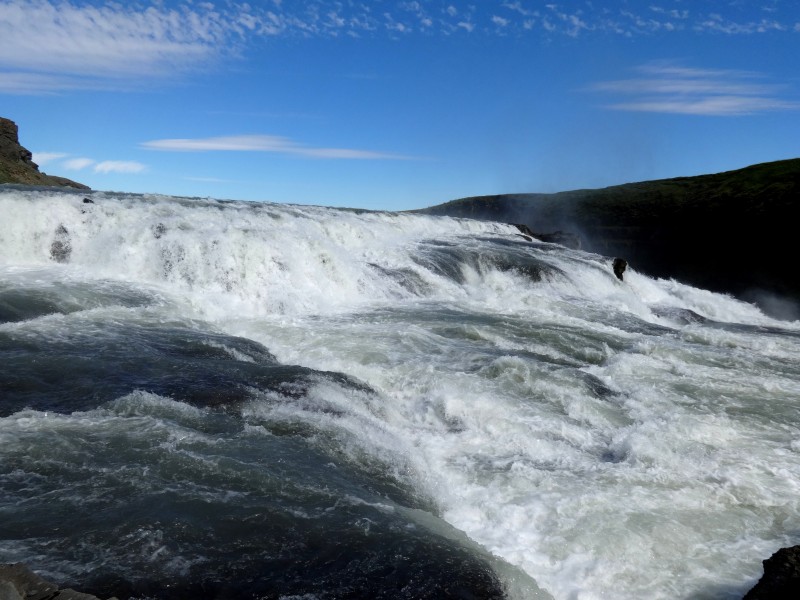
{"x": 82, "y": 43}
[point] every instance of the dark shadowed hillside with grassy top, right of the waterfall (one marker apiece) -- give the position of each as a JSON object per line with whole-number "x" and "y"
{"x": 731, "y": 232}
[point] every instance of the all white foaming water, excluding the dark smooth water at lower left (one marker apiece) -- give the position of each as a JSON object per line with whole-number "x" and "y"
{"x": 582, "y": 429}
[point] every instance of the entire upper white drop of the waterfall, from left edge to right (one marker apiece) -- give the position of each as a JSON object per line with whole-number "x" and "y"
{"x": 260, "y": 259}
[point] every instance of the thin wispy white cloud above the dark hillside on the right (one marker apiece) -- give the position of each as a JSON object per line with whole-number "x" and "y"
{"x": 666, "y": 88}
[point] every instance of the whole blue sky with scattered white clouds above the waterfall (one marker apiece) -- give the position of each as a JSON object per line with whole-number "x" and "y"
{"x": 396, "y": 105}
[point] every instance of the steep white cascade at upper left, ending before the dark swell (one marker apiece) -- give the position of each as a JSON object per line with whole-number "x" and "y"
{"x": 234, "y": 256}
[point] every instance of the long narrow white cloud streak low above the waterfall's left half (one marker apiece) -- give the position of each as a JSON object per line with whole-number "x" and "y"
{"x": 264, "y": 143}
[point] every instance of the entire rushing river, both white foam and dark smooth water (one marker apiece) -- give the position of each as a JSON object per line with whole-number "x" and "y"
{"x": 238, "y": 400}
